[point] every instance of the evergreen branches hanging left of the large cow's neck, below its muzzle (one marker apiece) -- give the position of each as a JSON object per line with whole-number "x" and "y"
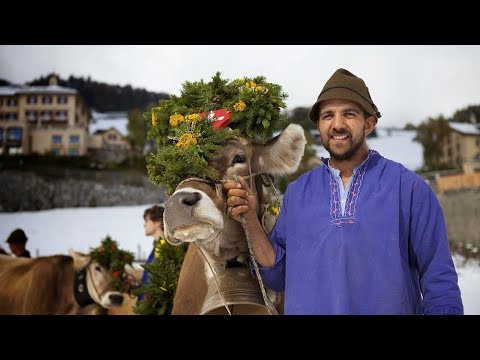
{"x": 163, "y": 275}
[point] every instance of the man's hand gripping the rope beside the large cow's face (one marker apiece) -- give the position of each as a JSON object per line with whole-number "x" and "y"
{"x": 241, "y": 200}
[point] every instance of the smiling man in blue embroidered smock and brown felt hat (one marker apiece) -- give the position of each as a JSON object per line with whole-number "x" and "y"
{"x": 359, "y": 234}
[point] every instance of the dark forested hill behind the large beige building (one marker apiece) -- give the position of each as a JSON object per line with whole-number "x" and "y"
{"x": 105, "y": 97}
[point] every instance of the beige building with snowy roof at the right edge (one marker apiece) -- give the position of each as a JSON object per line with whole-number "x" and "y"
{"x": 462, "y": 147}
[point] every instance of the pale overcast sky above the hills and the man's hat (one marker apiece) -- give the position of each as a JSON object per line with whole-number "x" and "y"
{"x": 407, "y": 83}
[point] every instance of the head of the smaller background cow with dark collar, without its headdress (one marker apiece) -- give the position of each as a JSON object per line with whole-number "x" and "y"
{"x": 98, "y": 280}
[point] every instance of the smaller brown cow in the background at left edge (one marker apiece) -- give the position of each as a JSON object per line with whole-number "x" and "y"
{"x": 57, "y": 284}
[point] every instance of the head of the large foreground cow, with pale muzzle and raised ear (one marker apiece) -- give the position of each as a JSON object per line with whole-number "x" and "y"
{"x": 197, "y": 210}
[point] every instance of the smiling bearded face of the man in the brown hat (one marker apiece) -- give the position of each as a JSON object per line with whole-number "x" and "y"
{"x": 343, "y": 128}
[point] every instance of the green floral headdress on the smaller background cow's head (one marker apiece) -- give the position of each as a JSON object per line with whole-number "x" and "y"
{"x": 113, "y": 258}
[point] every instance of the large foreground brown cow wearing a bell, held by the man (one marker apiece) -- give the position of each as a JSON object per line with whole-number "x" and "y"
{"x": 212, "y": 278}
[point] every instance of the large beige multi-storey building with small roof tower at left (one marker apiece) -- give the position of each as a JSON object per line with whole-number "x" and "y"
{"x": 43, "y": 120}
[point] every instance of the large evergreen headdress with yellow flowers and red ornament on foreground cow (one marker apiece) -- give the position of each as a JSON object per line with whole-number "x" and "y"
{"x": 190, "y": 128}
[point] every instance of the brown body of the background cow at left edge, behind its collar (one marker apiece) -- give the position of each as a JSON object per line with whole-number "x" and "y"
{"x": 37, "y": 286}
